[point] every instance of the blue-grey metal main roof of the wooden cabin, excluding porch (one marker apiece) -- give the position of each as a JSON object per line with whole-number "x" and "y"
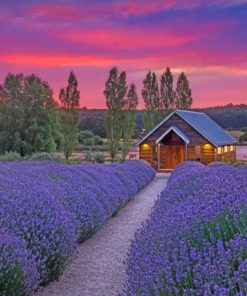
{"x": 202, "y": 123}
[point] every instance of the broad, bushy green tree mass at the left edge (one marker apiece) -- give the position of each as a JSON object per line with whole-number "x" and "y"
{"x": 28, "y": 115}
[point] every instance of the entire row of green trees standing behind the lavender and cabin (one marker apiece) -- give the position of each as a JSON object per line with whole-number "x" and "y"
{"x": 32, "y": 121}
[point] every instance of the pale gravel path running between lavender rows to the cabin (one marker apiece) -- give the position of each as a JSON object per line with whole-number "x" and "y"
{"x": 98, "y": 269}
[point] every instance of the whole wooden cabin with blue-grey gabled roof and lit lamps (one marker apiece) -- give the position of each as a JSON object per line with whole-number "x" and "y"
{"x": 186, "y": 135}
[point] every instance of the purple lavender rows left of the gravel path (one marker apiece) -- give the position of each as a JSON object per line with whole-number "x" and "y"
{"x": 47, "y": 208}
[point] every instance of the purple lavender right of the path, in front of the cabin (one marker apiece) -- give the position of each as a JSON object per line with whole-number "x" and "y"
{"x": 195, "y": 240}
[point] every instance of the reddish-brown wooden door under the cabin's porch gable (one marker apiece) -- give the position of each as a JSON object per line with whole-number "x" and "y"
{"x": 173, "y": 156}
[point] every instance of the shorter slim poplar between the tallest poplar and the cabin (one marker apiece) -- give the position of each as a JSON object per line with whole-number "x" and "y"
{"x": 129, "y": 121}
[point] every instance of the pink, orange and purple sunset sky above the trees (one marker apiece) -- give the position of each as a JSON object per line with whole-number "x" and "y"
{"x": 205, "y": 39}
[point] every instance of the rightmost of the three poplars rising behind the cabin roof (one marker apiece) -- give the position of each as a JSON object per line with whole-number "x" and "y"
{"x": 183, "y": 93}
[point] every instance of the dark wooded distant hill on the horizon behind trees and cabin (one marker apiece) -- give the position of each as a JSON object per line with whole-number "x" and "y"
{"x": 229, "y": 117}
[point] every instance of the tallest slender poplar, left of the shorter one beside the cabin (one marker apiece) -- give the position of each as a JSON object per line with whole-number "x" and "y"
{"x": 115, "y": 91}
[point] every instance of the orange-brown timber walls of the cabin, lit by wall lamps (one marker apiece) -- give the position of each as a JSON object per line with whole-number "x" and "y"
{"x": 172, "y": 147}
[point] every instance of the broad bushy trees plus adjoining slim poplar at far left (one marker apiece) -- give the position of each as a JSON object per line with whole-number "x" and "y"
{"x": 32, "y": 121}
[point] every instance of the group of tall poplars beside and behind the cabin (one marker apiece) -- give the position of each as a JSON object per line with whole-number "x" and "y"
{"x": 122, "y": 101}
